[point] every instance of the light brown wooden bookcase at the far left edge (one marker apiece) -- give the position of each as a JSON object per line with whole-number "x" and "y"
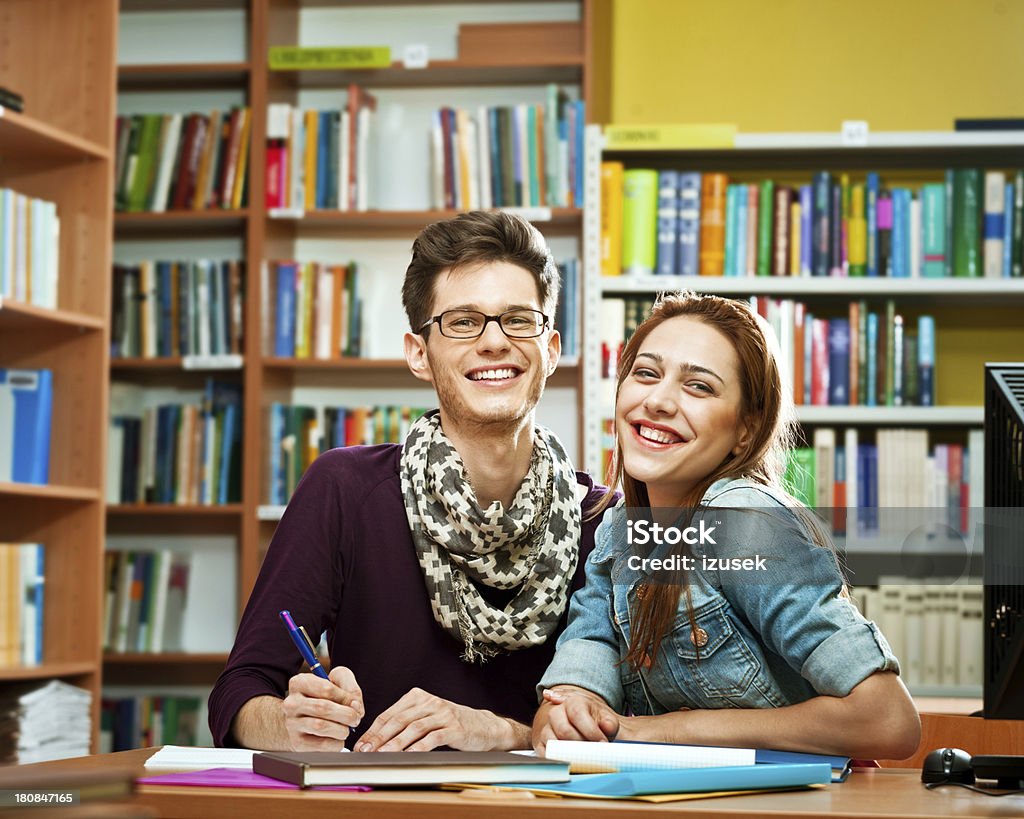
{"x": 61, "y": 150}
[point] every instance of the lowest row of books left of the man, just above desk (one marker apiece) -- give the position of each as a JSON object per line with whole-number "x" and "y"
{"x": 144, "y": 722}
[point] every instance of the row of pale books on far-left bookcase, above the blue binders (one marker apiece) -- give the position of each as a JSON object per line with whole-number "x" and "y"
{"x": 30, "y": 249}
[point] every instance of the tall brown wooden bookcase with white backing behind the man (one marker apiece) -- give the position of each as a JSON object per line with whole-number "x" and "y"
{"x": 215, "y": 54}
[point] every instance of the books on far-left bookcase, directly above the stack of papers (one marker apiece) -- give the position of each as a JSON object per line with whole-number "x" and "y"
{"x": 22, "y": 586}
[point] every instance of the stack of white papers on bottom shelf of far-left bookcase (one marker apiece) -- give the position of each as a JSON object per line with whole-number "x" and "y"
{"x": 39, "y": 723}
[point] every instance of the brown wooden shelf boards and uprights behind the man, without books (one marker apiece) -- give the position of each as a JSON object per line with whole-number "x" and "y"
{"x": 276, "y": 235}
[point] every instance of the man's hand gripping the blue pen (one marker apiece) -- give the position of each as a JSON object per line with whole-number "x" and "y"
{"x": 320, "y": 714}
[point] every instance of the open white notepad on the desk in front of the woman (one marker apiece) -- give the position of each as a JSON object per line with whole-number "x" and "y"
{"x": 598, "y": 758}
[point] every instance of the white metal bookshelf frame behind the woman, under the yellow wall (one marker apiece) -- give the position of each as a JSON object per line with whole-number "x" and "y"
{"x": 975, "y": 323}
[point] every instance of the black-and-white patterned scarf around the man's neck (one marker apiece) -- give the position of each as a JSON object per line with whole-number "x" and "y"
{"x": 533, "y": 547}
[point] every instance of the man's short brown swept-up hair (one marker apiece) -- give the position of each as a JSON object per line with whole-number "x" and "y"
{"x": 474, "y": 239}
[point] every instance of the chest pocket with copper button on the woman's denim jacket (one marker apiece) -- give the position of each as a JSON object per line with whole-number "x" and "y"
{"x": 713, "y": 662}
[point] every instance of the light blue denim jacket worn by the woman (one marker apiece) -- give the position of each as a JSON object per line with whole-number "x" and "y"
{"x": 769, "y": 637}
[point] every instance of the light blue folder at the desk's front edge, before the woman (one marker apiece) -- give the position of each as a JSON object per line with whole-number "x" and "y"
{"x": 689, "y": 781}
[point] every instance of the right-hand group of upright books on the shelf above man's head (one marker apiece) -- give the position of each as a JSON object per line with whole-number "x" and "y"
{"x": 510, "y": 156}
